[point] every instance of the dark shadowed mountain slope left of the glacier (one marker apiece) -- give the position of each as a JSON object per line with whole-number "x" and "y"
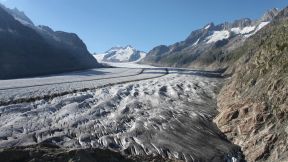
{"x": 27, "y": 50}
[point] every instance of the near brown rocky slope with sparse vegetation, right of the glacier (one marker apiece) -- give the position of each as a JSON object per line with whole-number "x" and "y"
{"x": 253, "y": 105}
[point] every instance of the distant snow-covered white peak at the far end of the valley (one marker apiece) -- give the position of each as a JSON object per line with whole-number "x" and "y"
{"x": 121, "y": 54}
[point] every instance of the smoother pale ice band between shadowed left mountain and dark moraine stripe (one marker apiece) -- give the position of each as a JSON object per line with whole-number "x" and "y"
{"x": 12, "y": 91}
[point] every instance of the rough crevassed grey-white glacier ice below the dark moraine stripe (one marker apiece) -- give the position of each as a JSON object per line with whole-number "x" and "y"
{"x": 168, "y": 115}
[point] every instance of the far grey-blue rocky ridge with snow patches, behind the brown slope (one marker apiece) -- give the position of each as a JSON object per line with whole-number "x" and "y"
{"x": 207, "y": 48}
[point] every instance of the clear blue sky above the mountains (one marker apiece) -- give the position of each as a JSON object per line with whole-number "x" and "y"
{"x": 143, "y": 24}
